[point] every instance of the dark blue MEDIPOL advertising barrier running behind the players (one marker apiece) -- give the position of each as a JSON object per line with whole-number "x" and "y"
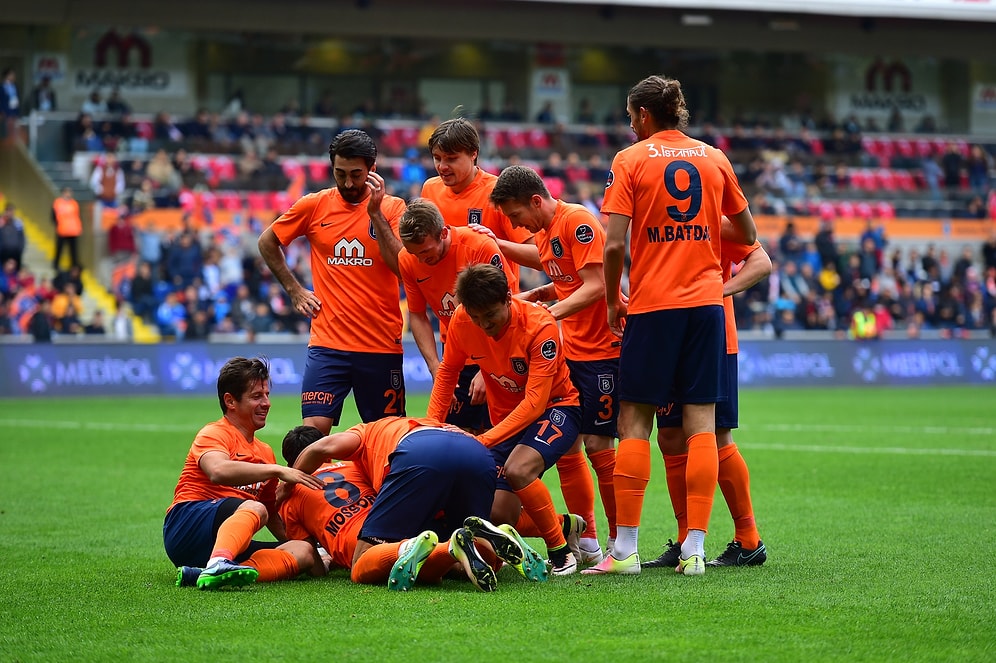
{"x": 92, "y": 369}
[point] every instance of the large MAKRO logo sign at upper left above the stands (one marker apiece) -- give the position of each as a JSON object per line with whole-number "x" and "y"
{"x": 122, "y": 61}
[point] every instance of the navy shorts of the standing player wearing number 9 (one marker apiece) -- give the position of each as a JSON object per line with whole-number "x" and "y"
{"x": 674, "y": 355}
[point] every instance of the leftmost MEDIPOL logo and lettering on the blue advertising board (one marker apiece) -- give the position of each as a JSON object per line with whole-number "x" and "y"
{"x": 40, "y": 375}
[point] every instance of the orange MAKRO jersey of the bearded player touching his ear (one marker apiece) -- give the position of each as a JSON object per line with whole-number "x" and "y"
{"x": 361, "y": 308}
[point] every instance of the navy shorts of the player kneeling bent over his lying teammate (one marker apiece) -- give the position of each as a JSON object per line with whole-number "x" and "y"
{"x": 437, "y": 478}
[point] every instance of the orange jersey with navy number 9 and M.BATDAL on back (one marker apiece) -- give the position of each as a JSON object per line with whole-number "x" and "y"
{"x": 676, "y": 190}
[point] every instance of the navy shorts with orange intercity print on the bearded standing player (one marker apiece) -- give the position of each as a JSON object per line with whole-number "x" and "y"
{"x": 377, "y": 381}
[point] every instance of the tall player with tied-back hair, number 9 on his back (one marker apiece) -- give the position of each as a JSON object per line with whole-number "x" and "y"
{"x": 674, "y": 190}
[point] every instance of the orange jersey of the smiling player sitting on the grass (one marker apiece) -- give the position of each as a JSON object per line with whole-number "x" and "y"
{"x": 222, "y": 436}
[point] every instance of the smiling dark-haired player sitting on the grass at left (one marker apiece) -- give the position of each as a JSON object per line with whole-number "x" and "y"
{"x": 226, "y": 493}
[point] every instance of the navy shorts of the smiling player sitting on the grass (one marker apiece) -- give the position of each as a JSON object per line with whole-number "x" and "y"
{"x": 190, "y": 530}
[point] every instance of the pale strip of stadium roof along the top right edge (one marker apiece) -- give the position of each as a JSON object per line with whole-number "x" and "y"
{"x": 954, "y": 10}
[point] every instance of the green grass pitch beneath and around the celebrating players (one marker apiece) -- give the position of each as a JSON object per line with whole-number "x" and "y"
{"x": 877, "y": 506}
